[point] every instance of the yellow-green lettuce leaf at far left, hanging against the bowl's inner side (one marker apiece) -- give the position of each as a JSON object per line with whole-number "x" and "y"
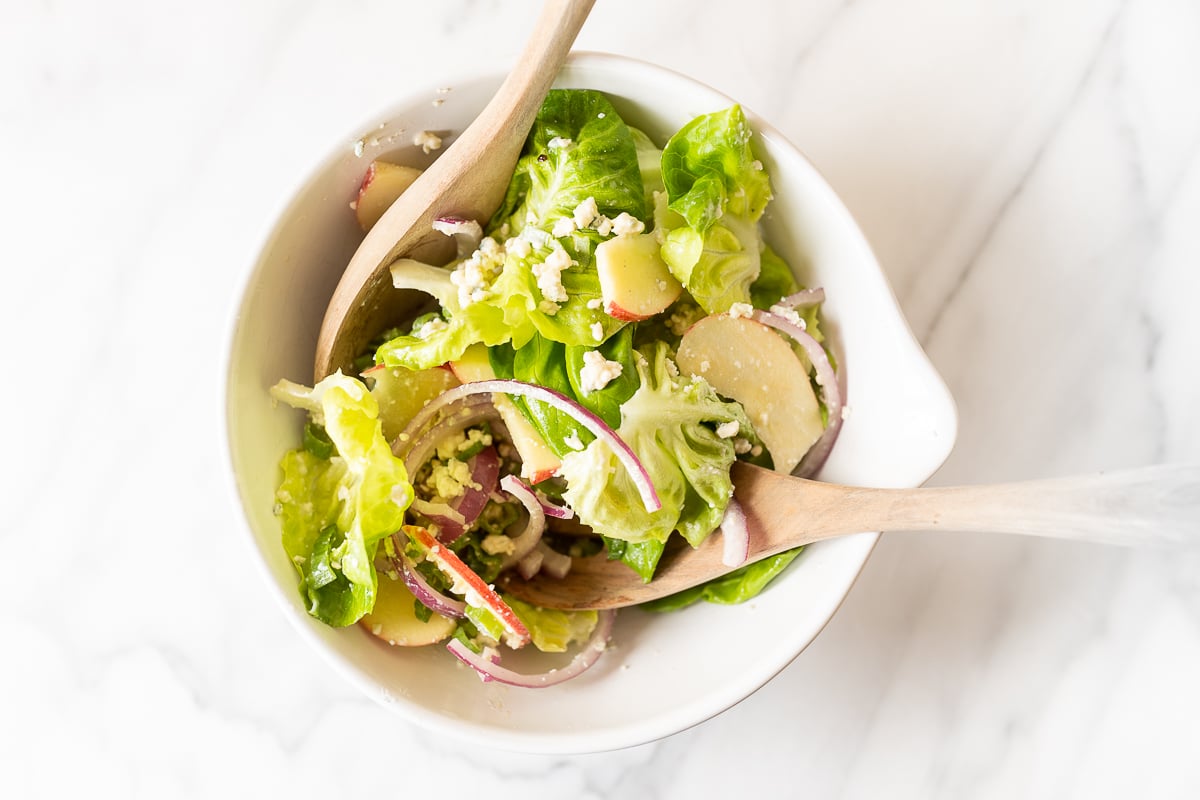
{"x": 335, "y": 512}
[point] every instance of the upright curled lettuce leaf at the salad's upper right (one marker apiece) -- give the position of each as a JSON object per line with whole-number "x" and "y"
{"x": 719, "y": 193}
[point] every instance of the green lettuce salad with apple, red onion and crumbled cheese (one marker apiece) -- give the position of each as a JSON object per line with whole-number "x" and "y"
{"x": 587, "y": 371}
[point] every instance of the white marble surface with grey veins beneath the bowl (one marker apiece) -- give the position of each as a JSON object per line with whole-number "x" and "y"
{"x": 1028, "y": 173}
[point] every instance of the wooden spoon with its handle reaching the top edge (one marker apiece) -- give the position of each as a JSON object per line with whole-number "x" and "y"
{"x": 469, "y": 182}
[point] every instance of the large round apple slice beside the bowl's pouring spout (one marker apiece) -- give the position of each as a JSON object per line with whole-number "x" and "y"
{"x": 752, "y": 364}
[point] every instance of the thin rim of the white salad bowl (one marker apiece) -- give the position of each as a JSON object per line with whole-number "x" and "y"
{"x": 467, "y": 731}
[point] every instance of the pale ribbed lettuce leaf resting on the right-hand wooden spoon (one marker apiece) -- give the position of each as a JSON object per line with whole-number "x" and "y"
{"x": 670, "y": 424}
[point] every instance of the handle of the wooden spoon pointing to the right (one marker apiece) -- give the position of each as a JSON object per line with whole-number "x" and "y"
{"x": 1150, "y": 507}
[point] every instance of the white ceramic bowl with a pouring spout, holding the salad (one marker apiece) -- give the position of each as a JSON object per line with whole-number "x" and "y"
{"x": 664, "y": 673}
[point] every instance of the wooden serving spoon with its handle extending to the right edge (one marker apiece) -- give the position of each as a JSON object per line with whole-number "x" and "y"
{"x": 1150, "y": 507}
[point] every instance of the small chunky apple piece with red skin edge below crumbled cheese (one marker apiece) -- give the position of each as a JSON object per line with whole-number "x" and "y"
{"x": 635, "y": 282}
